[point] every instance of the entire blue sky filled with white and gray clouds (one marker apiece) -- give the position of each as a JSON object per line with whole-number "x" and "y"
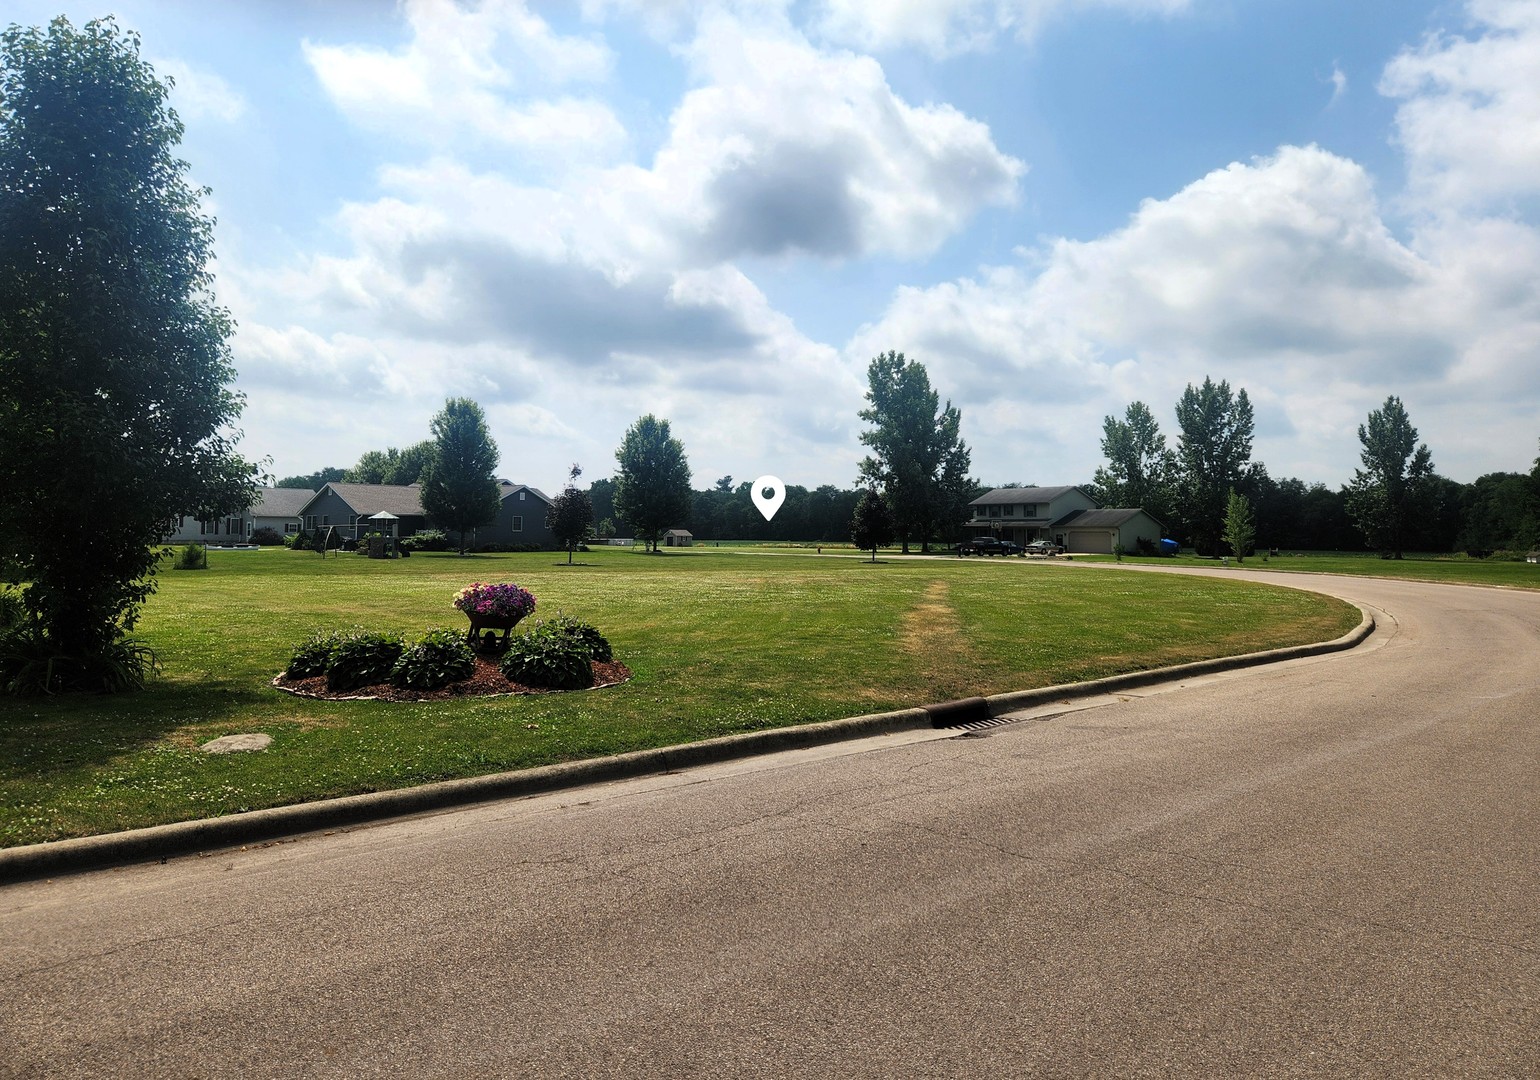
{"x": 578, "y": 213}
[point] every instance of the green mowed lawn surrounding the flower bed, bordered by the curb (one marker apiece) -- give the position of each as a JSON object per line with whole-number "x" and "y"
{"x": 720, "y": 642}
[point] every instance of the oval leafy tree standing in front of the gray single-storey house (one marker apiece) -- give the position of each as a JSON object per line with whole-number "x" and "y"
{"x": 460, "y": 491}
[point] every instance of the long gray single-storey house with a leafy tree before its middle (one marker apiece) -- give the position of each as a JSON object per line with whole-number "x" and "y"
{"x": 349, "y": 508}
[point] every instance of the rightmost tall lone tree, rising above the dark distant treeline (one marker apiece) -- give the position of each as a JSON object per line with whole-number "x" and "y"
{"x": 1394, "y": 481}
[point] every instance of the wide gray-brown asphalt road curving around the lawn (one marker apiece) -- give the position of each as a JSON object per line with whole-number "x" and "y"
{"x": 1325, "y": 868}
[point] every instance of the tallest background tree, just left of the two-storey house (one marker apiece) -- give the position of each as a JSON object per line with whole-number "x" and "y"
{"x": 919, "y": 457}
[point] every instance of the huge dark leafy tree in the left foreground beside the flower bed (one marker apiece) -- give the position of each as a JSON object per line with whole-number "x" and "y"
{"x": 115, "y": 366}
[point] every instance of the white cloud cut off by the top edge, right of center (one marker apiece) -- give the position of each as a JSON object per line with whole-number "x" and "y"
{"x": 951, "y": 27}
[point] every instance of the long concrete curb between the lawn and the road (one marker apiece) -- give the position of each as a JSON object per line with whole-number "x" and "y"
{"x": 187, "y": 837}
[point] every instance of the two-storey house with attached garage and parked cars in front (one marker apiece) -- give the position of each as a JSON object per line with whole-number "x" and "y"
{"x": 1065, "y": 515}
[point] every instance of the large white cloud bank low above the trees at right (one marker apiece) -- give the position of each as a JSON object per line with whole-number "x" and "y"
{"x": 1279, "y": 277}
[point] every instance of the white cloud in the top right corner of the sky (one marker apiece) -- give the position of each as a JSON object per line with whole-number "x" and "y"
{"x": 1470, "y": 115}
